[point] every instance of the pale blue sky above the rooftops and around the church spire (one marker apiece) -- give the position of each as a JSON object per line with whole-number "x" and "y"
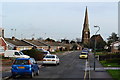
{"x": 58, "y": 19}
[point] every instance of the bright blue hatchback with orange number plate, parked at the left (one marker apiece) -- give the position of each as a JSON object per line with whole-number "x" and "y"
{"x": 25, "y": 66}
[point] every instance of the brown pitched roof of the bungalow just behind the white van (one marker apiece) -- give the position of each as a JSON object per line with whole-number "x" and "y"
{"x": 16, "y": 42}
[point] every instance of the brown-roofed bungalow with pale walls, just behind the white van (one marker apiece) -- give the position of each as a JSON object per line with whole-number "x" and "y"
{"x": 17, "y": 44}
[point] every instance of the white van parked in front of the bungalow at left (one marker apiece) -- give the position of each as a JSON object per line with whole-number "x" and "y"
{"x": 15, "y": 53}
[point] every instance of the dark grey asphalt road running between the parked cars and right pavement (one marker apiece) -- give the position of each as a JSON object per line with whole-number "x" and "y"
{"x": 70, "y": 67}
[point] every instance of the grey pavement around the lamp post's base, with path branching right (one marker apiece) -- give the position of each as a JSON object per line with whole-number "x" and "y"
{"x": 100, "y": 71}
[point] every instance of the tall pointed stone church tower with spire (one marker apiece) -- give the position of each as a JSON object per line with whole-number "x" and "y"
{"x": 86, "y": 31}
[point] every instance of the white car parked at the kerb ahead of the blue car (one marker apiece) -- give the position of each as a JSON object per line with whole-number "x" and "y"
{"x": 51, "y": 59}
